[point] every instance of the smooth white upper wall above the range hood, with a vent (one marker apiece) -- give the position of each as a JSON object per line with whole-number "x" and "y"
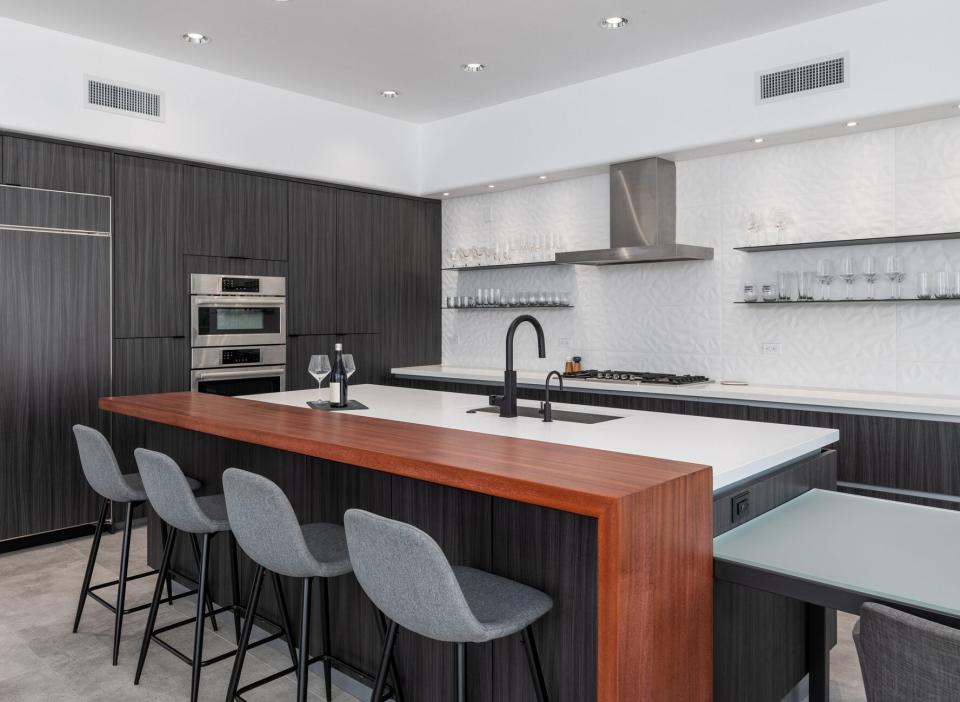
{"x": 902, "y": 54}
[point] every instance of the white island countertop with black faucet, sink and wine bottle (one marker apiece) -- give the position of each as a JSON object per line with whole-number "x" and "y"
{"x": 736, "y": 450}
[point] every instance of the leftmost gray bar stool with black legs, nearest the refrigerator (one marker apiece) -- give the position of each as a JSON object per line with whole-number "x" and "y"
{"x": 102, "y": 472}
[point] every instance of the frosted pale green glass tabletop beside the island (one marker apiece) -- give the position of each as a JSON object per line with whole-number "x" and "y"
{"x": 893, "y": 551}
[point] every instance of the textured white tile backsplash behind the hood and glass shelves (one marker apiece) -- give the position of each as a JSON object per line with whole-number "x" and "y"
{"x": 680, "y": 317}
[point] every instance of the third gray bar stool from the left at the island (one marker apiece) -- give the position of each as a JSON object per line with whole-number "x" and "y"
{"x": 265, "y": 525}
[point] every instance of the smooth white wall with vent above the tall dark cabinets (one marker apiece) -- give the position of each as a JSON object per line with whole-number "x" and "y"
{"x": 210, "y": 116}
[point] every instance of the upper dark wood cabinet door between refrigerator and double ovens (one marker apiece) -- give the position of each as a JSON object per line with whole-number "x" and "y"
{"x": 149, "y": 293}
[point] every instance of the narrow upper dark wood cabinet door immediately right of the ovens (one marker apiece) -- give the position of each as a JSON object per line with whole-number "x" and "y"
{"x": 312, "y": 284}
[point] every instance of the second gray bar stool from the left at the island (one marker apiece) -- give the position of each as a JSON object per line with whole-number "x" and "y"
{"x": 173, "y": 500}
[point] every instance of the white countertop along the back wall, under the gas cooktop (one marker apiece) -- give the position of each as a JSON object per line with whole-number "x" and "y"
{"x": 934, "y": 407}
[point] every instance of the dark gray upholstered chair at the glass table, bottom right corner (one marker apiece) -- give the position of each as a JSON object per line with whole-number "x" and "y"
{"x": 905, "y": 657}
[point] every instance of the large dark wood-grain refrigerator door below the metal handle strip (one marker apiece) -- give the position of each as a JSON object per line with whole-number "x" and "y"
{"x": 55, "y": 361}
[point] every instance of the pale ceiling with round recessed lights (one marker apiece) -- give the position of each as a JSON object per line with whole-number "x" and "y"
{"x": 348, "y": 51}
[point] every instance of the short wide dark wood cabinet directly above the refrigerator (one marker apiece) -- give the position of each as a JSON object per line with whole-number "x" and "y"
{"x": 34, "y": 163}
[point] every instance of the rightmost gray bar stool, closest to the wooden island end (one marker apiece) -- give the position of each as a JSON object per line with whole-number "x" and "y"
{"x": 409, "y": 579}
